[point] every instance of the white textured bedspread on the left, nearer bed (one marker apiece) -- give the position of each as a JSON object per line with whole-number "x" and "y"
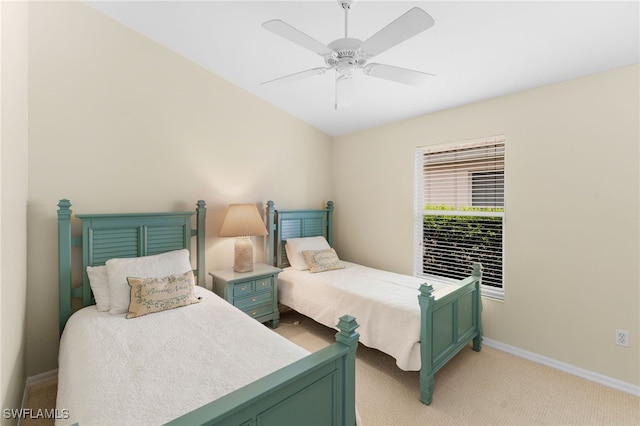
{"x": 152, "y": 369}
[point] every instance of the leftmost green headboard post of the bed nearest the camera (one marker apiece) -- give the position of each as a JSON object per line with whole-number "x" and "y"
{"x": 64, "y": 262}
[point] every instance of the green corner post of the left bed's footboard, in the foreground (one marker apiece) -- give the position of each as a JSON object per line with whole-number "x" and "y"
{"x": 348, "y": 336}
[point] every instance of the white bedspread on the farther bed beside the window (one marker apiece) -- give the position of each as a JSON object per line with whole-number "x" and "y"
{"x": 385, "y": 303}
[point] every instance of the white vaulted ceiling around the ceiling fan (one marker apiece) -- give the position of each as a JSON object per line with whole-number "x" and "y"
{"x": 477, "y": 49}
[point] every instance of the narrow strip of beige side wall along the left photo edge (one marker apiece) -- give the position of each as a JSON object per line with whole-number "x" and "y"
{"x": 13, "y": 201}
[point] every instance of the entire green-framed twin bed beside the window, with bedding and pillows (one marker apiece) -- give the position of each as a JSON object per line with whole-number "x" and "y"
{"x": 421, "y": 325}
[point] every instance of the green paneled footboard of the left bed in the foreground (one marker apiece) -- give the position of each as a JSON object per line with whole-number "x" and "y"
{"x": 316, "y": 390}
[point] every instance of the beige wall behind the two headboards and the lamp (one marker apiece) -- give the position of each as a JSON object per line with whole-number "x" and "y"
{"x": 118, "y": 123}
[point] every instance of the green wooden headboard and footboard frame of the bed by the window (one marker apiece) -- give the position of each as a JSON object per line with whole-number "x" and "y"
{"x": 448, "y": 324}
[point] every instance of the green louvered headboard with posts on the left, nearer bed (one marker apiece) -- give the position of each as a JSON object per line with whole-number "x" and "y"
{"x": 107, "y": 236}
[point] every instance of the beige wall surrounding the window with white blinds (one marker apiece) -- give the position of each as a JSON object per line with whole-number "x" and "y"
{"x": 572, "y": 213}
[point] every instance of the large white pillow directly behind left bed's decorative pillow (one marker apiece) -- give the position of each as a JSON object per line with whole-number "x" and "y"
{"x": 156, "y": 266}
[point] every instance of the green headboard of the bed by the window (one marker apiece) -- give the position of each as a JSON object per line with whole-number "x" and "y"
{"x": 283, "y": 224}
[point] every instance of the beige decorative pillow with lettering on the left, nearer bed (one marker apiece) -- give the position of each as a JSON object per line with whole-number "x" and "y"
{"x": 150, "y": 295}
